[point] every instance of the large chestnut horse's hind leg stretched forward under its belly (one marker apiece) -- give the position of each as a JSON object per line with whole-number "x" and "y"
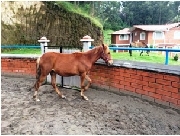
{"x": 53, "y": 82}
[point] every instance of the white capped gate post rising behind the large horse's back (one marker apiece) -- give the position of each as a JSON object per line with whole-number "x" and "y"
{"x": 86, "y": 42}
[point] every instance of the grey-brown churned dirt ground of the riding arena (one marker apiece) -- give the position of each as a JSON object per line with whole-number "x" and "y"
{"x": 104, "y": 113}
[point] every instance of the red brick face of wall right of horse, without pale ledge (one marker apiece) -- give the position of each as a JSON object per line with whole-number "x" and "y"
{"x": 162, "y": 88}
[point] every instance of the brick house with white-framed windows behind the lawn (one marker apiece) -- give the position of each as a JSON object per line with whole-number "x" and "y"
{"x": 160, "y": 36}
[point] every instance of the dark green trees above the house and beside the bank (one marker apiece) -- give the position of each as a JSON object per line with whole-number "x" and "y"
{"x": 116, "y": 15}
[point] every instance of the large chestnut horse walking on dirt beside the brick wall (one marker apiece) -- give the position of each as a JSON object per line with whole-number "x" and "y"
{"x": 78, "y": 63}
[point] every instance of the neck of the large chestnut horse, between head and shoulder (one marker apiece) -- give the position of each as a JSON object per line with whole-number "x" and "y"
{"x": 94, "y": 54}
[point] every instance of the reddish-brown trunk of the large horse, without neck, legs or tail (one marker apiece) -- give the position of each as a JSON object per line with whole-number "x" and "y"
{"x": 62, "y": 63}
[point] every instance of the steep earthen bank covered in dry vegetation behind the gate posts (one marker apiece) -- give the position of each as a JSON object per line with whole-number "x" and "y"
{"x": 23, "y": 22}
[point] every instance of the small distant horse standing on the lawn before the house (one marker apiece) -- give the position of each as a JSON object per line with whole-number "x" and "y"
{"x": 138, "y": 44}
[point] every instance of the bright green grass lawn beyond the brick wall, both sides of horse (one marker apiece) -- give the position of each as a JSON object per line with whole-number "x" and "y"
{"x": 153, "y": 57}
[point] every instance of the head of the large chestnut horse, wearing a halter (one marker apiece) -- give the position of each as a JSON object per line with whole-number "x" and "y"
{"x": 106, "y": 55}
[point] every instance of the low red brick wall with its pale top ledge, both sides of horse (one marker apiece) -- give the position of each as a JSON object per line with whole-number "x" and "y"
{"x": 159, "y": 85}
